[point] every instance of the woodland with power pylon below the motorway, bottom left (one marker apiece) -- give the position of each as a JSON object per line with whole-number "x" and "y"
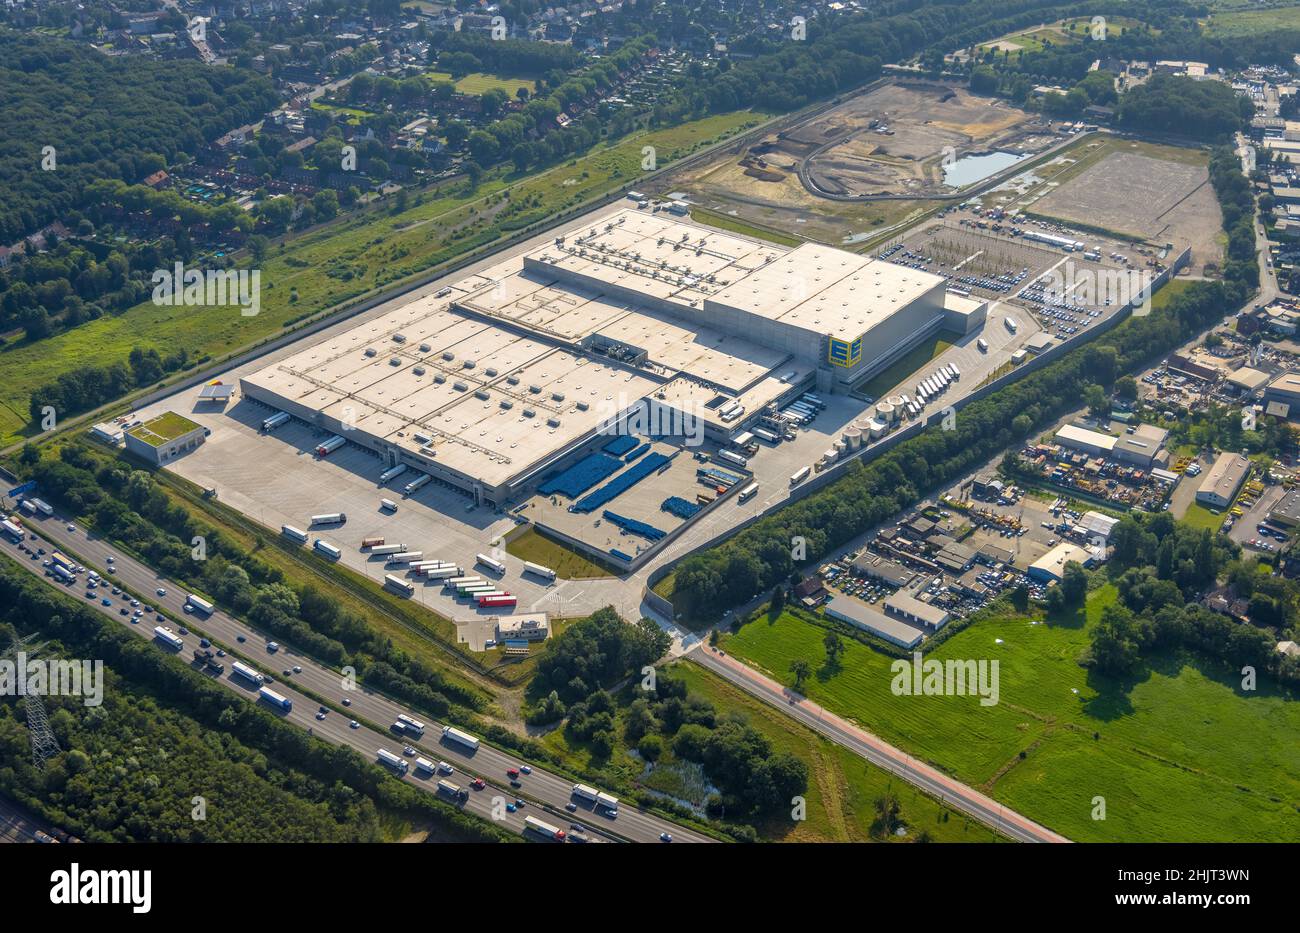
{"x": 166, "y": 734}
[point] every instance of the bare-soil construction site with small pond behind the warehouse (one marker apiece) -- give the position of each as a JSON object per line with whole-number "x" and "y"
{"x": 864, "y": 167}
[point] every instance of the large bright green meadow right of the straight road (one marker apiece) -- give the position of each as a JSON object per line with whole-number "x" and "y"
{"x": 1178, "y": 753}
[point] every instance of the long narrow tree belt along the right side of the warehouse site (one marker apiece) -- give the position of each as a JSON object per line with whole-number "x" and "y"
{"x": 760, "y": 557}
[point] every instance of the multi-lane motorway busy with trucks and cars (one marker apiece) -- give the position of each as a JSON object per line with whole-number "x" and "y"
{"x": 551, "y": 792}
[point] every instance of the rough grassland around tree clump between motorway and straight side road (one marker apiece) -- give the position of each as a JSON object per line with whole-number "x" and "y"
{"x": 843, "y": 788}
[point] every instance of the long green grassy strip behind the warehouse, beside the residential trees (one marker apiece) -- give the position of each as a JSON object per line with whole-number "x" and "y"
{"x": 354, "y": 258}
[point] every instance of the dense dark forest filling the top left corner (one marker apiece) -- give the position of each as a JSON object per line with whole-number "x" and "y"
{"x": 106, "y": 118}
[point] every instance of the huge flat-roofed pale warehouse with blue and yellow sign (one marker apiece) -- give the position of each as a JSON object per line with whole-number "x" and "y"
{"x": 489, "y": 389}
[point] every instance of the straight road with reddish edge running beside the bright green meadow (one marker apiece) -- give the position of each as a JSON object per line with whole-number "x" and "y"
{"x": 952, "y": 793}
